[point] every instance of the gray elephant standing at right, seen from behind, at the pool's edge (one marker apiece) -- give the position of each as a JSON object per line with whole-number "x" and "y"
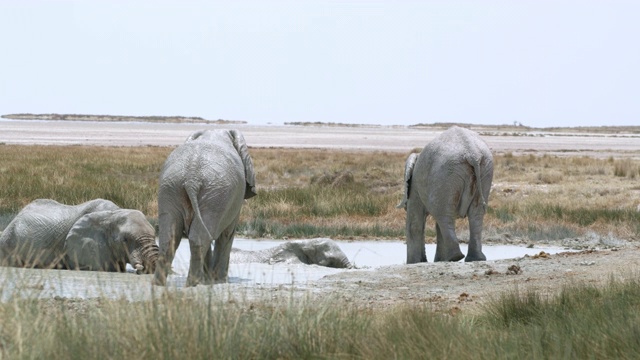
{"x": 451, "y": 178}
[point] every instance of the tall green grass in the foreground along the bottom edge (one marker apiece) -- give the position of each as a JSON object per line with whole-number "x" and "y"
{"x": 581, "y": 322}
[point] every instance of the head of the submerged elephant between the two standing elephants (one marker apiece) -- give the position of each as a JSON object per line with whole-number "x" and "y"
{"x": 323, "y": 252}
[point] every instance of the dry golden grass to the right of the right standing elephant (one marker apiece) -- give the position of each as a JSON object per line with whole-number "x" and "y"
{"x": 578, "y": 193}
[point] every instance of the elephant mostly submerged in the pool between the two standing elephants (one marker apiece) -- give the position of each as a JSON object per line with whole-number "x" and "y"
{"x": 323, "y": 252}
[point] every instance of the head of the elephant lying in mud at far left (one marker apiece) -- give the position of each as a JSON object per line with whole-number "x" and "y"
{"x": 108, "y": 240}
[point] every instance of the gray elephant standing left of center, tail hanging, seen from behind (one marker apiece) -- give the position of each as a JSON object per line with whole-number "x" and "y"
{"x": 203, "y": 185}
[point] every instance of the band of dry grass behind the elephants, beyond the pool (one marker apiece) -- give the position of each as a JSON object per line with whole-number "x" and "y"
{"x": 341, "y": 194}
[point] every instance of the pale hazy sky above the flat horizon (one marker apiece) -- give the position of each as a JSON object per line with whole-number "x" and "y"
{"x": 541, "y": 63}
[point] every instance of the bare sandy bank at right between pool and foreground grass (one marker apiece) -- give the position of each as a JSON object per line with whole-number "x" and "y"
{"x": 454, "y": 287}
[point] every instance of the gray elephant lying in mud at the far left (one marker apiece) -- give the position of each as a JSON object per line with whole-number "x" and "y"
{"x": 95, "y": 235}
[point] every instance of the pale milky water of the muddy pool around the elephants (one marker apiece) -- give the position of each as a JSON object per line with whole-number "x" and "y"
{"x": 366, "y": 255}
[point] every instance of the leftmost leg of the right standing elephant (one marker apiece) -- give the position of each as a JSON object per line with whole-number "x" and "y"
{"x": 416, "y": 218}
